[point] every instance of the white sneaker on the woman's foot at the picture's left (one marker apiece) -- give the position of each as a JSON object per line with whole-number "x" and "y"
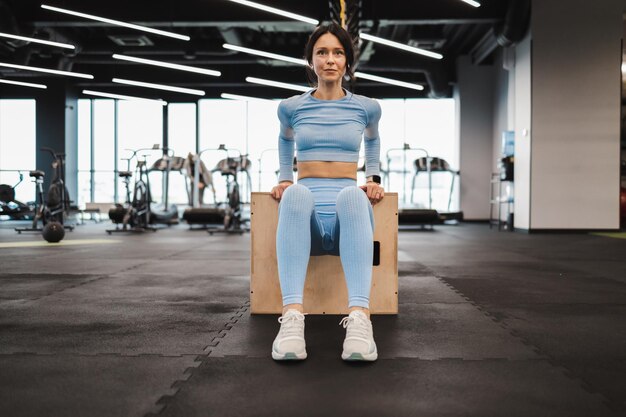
{"x": 289, "y": 343}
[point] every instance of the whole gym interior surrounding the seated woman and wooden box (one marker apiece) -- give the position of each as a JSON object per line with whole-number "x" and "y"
{"x": 519, "y": 127}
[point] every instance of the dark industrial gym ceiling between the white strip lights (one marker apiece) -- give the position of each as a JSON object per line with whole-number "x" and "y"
{"x": 450, "y": 27}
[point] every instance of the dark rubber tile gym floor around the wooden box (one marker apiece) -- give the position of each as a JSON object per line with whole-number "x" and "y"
{"x": 490, "y": 324}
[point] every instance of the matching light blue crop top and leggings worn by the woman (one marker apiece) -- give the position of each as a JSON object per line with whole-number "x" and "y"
{"x": 326, "y": 216}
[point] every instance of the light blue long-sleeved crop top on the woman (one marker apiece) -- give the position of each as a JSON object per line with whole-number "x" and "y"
{"x": 328, "y": 130}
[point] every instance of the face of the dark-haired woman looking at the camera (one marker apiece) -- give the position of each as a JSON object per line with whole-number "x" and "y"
{"x": 329, "y": 59}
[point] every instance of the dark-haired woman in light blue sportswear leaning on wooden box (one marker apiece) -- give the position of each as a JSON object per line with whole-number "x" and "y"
{"x": 326, "y": 213}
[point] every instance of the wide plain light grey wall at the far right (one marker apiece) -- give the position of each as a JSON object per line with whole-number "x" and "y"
{"x": 576, "y": 114}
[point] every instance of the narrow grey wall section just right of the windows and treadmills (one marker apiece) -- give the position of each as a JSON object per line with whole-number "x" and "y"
{"x": 474, "y": 94}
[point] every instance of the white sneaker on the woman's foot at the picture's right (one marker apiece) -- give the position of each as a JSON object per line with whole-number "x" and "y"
{"x": 359, "y": 344}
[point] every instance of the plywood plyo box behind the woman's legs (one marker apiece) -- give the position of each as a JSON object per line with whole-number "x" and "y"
{"x": 325, "y": 290}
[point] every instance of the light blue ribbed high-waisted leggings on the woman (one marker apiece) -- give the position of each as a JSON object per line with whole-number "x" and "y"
{"x": 325, "y": 216}
